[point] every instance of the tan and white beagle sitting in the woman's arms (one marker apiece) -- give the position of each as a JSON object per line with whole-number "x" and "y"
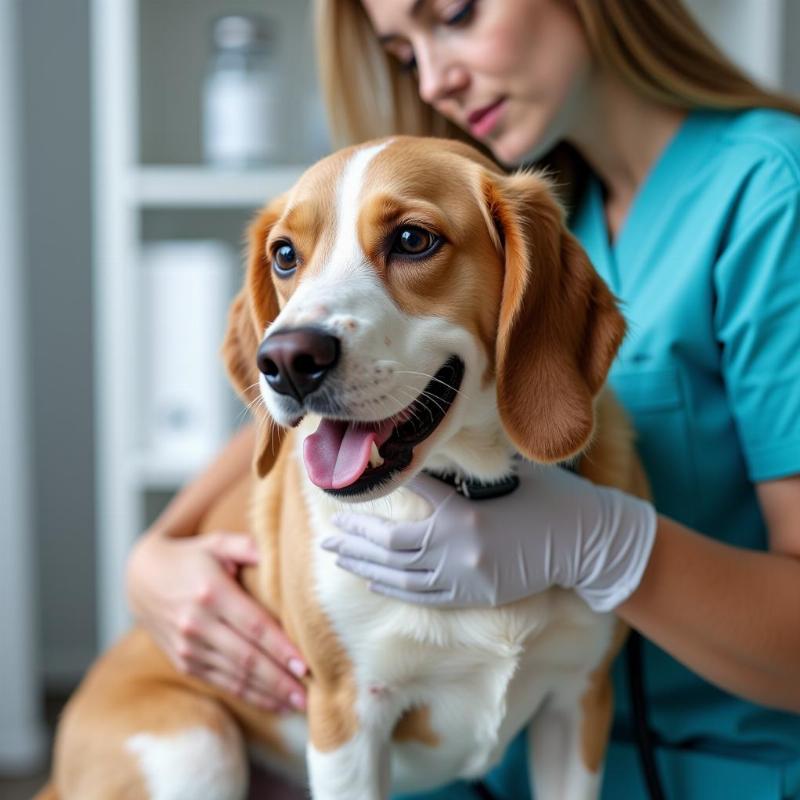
{"x": 406, "y": 306}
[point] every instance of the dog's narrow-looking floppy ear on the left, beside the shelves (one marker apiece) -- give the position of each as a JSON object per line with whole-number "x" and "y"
{"x": 252, "y": 310}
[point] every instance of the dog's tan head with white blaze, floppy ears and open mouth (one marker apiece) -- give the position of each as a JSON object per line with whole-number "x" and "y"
{"x": 430, "y": 310}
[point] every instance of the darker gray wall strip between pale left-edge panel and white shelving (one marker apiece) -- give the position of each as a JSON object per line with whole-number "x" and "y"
{"x": 56, "y": 171}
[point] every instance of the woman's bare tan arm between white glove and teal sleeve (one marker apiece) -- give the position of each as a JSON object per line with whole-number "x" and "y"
{"x": 729, "y": 614}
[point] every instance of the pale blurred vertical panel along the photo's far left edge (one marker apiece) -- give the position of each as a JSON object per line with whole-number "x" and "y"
{"x": 21, "y": 732}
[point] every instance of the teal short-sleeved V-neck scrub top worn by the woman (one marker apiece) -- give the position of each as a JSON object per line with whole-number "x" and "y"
{"x": 707, "y": 269}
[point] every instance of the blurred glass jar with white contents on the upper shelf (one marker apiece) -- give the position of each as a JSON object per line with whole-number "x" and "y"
{"x": 240, "y": 94}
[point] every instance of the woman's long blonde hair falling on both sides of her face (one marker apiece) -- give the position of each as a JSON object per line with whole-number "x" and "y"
{"x": 655, "y": 46}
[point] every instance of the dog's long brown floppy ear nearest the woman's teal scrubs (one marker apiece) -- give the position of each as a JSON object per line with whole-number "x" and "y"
{"x": 559, "y": 327}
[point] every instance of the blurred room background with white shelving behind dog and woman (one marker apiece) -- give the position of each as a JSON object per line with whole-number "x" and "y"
{"x": 123, "y": 199}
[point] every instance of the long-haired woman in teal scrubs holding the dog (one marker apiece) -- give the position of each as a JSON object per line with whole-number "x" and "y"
{"x": 682, "y": 180}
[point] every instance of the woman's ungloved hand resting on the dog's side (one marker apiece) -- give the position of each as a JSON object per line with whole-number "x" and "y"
{"x": 184, "y": 592}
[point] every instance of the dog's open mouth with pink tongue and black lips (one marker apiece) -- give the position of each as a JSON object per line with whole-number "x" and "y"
{"x": 349, "y": 457}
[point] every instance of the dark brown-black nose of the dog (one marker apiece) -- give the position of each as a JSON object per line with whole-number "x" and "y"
{"x": 295, "y": 362}
